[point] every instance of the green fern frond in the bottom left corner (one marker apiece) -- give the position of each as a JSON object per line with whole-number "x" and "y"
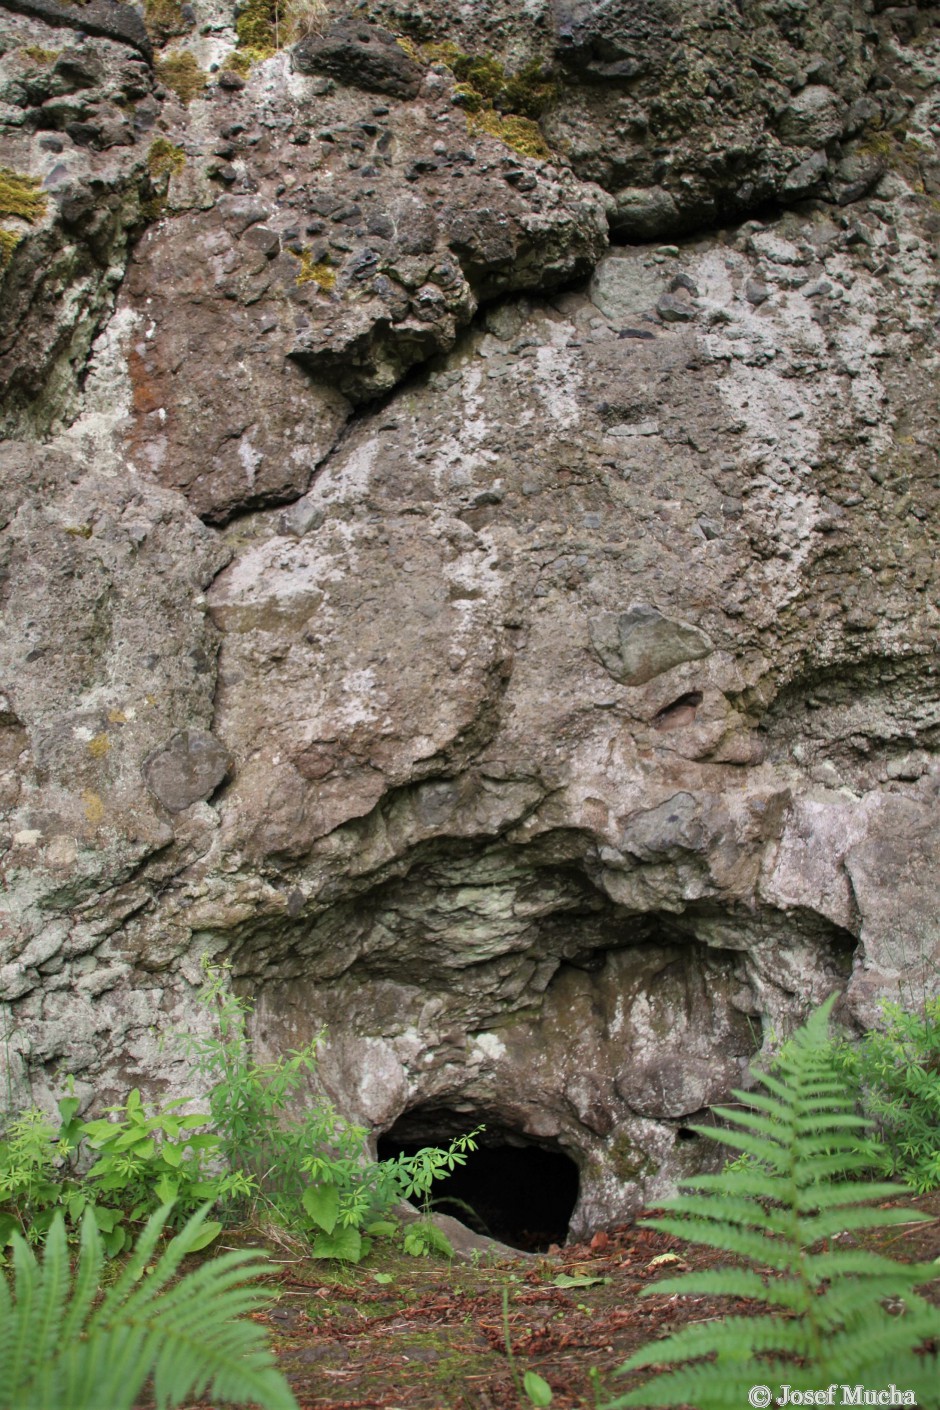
{"x": 60, "y": 1351}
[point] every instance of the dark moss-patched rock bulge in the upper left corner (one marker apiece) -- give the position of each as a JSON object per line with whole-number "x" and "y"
{"x": 67, "y": 115}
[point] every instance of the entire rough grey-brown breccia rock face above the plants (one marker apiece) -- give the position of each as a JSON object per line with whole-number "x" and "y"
{"x": 515, "y": 652}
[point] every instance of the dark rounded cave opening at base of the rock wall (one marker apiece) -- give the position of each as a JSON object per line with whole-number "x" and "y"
{"x": 511, "y": 1189}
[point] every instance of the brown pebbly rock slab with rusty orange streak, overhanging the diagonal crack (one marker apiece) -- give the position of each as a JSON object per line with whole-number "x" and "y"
{"x": 350, "y": 259}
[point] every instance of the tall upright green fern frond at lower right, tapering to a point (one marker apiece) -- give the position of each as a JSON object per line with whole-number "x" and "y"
{"x": 827, "y": 1318}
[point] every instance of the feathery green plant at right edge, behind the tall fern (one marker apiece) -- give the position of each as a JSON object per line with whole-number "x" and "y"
{"x": 897, "y": 1071}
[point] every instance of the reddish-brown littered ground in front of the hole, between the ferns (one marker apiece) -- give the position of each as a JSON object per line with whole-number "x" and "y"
{"x": 401, "y": 1333}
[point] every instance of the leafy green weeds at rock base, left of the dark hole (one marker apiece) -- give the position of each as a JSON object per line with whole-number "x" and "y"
{"x": 249, "y": 1157}
